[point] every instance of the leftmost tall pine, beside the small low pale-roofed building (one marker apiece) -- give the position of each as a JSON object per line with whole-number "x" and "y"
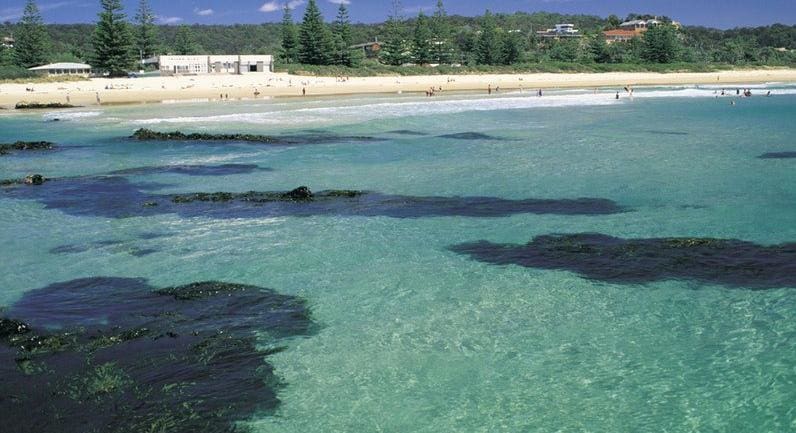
{"x": 32, "y": 42}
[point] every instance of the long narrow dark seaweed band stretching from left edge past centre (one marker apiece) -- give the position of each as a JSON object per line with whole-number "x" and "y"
{"x": 116, "y": 197}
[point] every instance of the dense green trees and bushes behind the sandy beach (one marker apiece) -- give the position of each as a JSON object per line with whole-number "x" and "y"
{"x": 492, "y": 42}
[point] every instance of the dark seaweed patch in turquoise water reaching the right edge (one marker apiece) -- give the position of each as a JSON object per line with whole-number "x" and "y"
{"x": 728, "y": 262}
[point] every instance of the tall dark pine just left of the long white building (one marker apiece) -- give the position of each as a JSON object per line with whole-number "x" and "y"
{"x": 113, "y": 42}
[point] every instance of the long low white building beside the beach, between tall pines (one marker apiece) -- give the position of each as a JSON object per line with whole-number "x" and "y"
{"x": 230, "y": 64}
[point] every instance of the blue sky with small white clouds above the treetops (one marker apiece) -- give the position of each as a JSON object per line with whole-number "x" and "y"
{"x": 712, "y": 13}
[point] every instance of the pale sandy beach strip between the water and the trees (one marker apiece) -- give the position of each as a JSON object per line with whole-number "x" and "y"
{"x": 208, "y": 88}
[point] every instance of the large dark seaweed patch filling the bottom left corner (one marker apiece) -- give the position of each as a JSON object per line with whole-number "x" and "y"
{"x": 116, "y": 355}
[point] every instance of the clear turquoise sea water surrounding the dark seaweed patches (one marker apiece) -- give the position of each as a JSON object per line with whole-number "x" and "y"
{"x": 417, "y": 338}
